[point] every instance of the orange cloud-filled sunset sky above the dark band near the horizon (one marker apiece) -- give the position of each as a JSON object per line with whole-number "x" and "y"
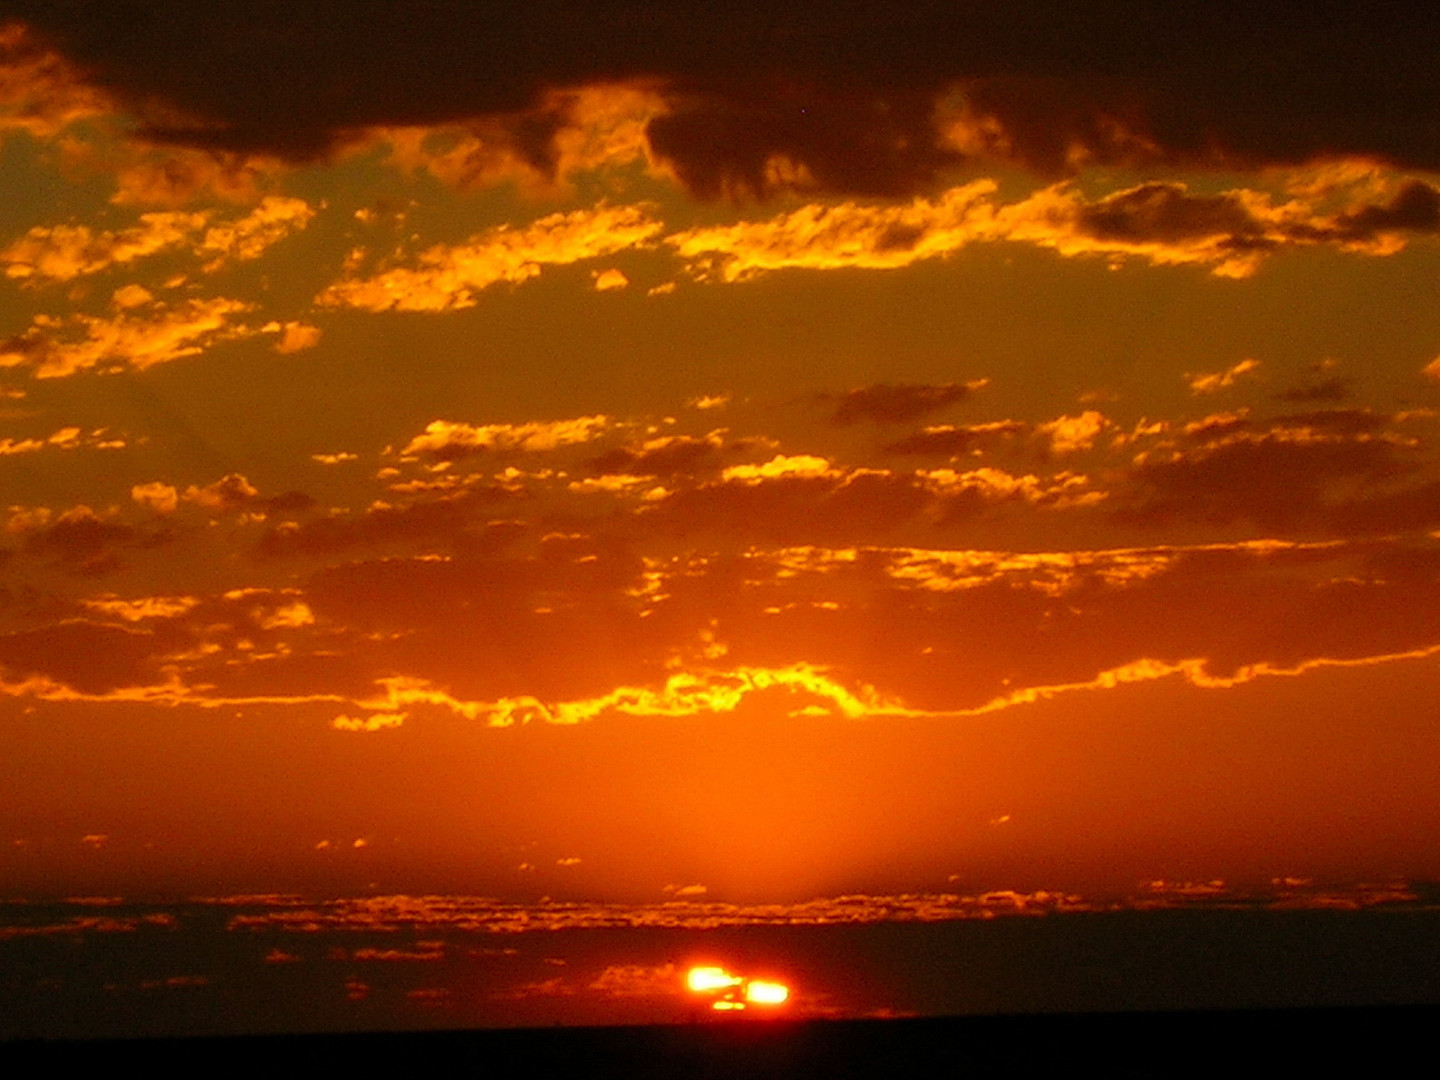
{"x": 760, "y": 454}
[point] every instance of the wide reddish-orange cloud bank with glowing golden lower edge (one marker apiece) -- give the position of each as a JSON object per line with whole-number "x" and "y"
{"x": 572, "y": 629}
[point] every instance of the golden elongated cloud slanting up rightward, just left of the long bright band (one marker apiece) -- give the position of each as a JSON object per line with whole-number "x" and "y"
{"x": 449, "y": 277}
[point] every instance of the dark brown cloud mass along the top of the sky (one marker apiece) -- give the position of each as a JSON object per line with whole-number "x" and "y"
{"x": 866, "y": 97}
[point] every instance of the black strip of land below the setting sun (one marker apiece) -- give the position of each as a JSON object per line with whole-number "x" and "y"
{"x": 1127, "y": 1045}
